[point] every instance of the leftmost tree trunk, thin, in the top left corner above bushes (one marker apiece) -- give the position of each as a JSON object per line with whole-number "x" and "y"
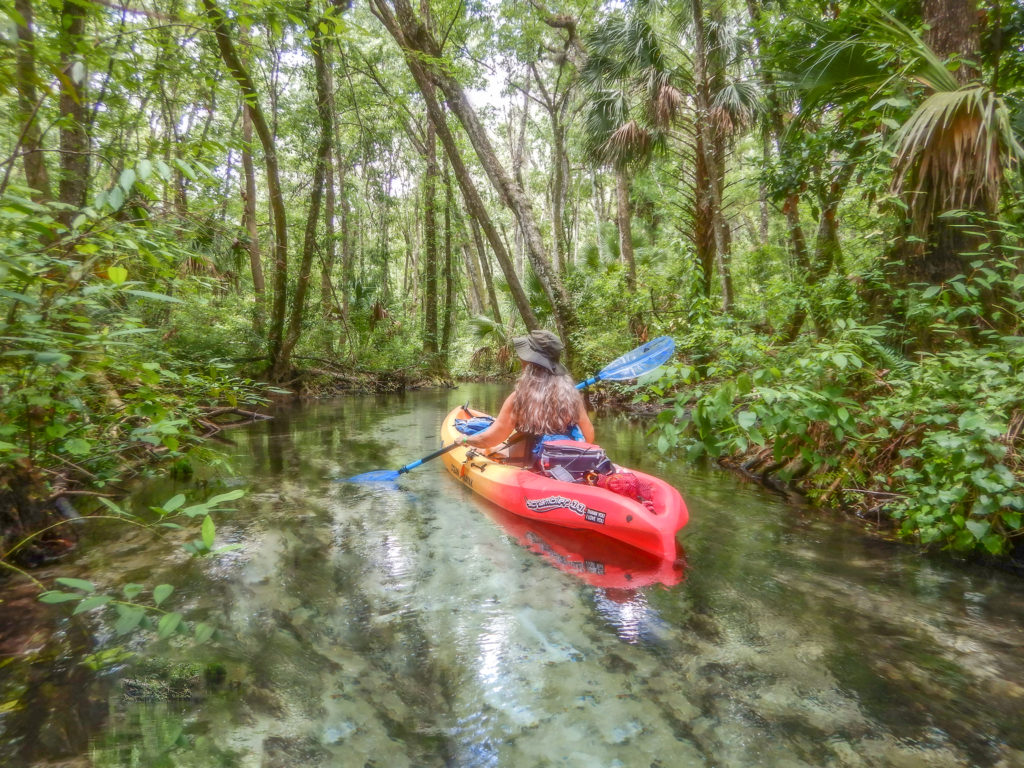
{"x": 28, "y": 106}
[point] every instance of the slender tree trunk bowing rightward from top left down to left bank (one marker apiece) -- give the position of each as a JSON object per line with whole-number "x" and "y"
{"x": 279, "y": 221}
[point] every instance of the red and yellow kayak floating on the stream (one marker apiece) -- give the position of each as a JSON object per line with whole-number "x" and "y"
{"x": 499, "y": 479}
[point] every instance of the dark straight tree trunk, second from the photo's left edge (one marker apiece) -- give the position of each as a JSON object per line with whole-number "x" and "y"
{"x": 74, "y": 185}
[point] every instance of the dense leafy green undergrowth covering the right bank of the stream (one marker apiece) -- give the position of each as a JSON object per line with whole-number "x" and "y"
{"x": 931, "y": 440}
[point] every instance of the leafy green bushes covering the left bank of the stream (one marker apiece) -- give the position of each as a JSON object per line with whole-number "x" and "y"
{"x": 87, "y": 388}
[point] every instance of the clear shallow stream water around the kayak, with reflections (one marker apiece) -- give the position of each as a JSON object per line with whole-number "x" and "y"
{"x": 361, "y": 626}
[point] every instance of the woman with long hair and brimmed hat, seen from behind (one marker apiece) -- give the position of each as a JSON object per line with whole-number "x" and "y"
{"x": 546, "y": 404}
